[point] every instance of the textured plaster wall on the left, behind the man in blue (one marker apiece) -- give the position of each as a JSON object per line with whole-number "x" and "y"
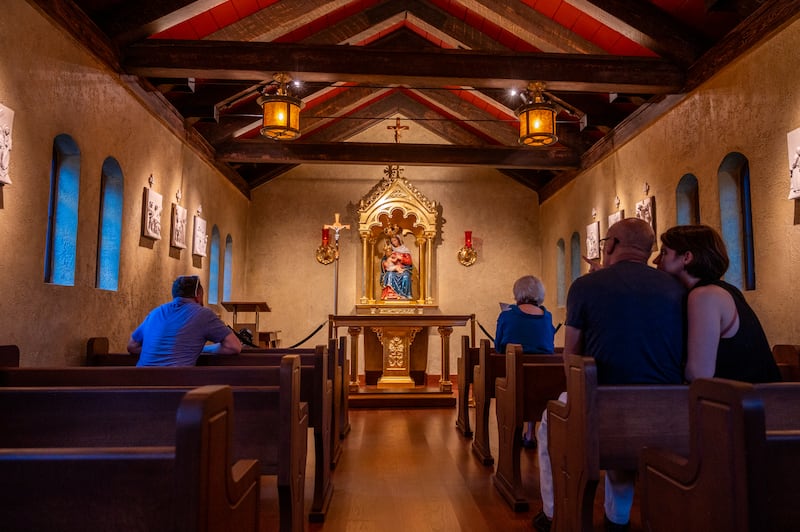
{"x": 56, "y": 87}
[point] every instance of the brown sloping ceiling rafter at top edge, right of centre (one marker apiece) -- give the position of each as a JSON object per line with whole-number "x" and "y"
{"x": 531, "y": 26}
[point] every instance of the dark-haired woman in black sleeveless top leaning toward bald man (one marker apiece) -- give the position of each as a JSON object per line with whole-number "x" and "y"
{"x": 725, "y": 338}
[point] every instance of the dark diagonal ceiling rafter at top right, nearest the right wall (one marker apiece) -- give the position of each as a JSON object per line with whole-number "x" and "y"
{"x": 644, "y": 23}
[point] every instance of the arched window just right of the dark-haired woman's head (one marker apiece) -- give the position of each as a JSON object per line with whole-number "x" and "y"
{"x": 737, "y": 220}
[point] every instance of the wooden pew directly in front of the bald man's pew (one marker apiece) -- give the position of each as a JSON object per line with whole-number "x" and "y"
{"x": 530, "y": 382}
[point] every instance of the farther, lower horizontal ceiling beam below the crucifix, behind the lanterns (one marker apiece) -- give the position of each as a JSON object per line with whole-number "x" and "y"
{"x": 258, "y": 151}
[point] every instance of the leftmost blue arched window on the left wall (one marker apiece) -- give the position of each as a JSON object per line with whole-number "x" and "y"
{"x": 62, "y": 214}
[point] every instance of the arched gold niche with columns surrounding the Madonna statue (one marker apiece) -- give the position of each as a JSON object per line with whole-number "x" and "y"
{"x": 394, "y": 202}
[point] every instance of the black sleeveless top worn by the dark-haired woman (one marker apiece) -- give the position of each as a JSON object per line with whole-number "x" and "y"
{"x": 746, "y": 356}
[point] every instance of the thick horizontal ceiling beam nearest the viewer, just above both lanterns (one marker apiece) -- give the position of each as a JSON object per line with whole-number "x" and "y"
{"x": 258, "y": 61}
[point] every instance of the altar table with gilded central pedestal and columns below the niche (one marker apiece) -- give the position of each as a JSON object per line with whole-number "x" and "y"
{"x": 395, "y": 348}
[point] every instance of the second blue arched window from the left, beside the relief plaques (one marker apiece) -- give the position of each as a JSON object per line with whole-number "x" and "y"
{"x": 110, "y": 228}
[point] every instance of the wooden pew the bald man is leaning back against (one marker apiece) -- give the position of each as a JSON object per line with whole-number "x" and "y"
{"x": 605, "y": 427}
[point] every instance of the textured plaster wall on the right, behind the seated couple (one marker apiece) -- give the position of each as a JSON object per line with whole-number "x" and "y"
{"x": 748, "y": 108}
